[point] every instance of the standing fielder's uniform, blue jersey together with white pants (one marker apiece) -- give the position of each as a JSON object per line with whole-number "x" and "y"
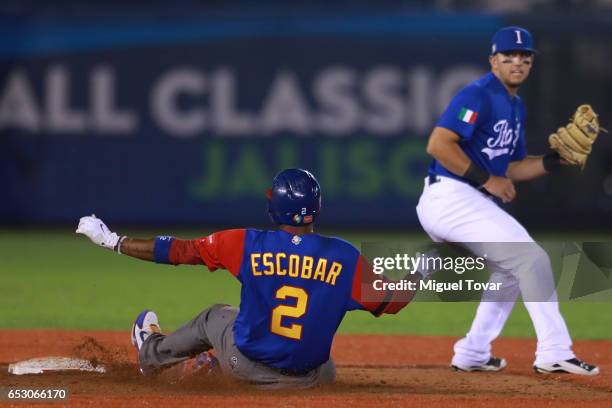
{"x": 491, "y": 125}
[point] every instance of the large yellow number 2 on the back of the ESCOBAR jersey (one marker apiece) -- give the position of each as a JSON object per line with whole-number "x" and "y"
{"x": 293, "y": 331}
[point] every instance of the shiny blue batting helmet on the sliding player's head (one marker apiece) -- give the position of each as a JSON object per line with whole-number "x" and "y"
{"x": 294, "y": 198}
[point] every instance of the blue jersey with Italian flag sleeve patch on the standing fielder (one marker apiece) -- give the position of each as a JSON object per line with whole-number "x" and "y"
{"x": 491, "y": 125}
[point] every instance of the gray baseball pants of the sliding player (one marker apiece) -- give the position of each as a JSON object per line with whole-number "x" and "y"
{"x": 213, "y": 329}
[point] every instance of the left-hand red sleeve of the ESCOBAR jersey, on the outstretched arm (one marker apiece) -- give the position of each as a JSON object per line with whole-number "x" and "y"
{"x": 221, "y": 250}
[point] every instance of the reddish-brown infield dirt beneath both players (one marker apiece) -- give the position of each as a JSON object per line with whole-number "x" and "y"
{"x": 372, "y": 370}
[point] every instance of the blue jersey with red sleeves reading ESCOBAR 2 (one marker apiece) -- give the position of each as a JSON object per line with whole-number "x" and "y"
{"x": 295, "y": 290}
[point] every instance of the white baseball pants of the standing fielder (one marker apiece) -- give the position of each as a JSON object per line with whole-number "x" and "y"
{"x": 453, "y": 211}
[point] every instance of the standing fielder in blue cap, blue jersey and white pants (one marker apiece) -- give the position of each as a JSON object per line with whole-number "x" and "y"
{"x": 478, "y": 146}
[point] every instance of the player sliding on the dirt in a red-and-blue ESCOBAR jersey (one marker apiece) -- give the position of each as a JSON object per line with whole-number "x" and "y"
{"x": 296, "y": 288}
